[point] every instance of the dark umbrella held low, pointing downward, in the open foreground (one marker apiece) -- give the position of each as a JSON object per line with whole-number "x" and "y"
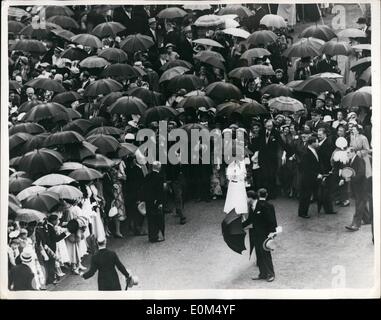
{"x": 233, "y": 233}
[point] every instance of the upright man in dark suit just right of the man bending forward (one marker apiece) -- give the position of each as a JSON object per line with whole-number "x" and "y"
{"x": 325, "y": 151}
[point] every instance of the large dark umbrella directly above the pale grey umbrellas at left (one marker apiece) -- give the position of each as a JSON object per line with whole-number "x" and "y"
{"x": 40, "y": 161}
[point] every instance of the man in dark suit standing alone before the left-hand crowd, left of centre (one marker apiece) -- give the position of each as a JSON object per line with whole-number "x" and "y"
{"x": 153, "y": 195}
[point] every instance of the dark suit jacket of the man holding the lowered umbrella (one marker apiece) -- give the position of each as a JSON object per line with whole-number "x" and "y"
{"x": 262, "y": 218}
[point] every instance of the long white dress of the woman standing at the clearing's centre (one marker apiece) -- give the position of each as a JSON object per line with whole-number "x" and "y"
{"x": 236, "y": 196}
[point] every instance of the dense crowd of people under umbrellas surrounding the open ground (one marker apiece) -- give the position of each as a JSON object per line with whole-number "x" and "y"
{"x": 130, "y": 52}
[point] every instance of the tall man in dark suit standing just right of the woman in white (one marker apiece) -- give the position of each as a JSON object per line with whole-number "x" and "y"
{"x": 270, "y": 147}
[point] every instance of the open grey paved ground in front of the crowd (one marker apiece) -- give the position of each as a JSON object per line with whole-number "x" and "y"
{"x": 194, "y": 256}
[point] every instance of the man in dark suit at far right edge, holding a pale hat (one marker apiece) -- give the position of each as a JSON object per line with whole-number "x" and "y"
{"x": 359, "y": 189}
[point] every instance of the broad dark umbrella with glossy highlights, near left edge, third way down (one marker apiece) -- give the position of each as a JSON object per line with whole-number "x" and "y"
{"x": 50, "y": 110}
